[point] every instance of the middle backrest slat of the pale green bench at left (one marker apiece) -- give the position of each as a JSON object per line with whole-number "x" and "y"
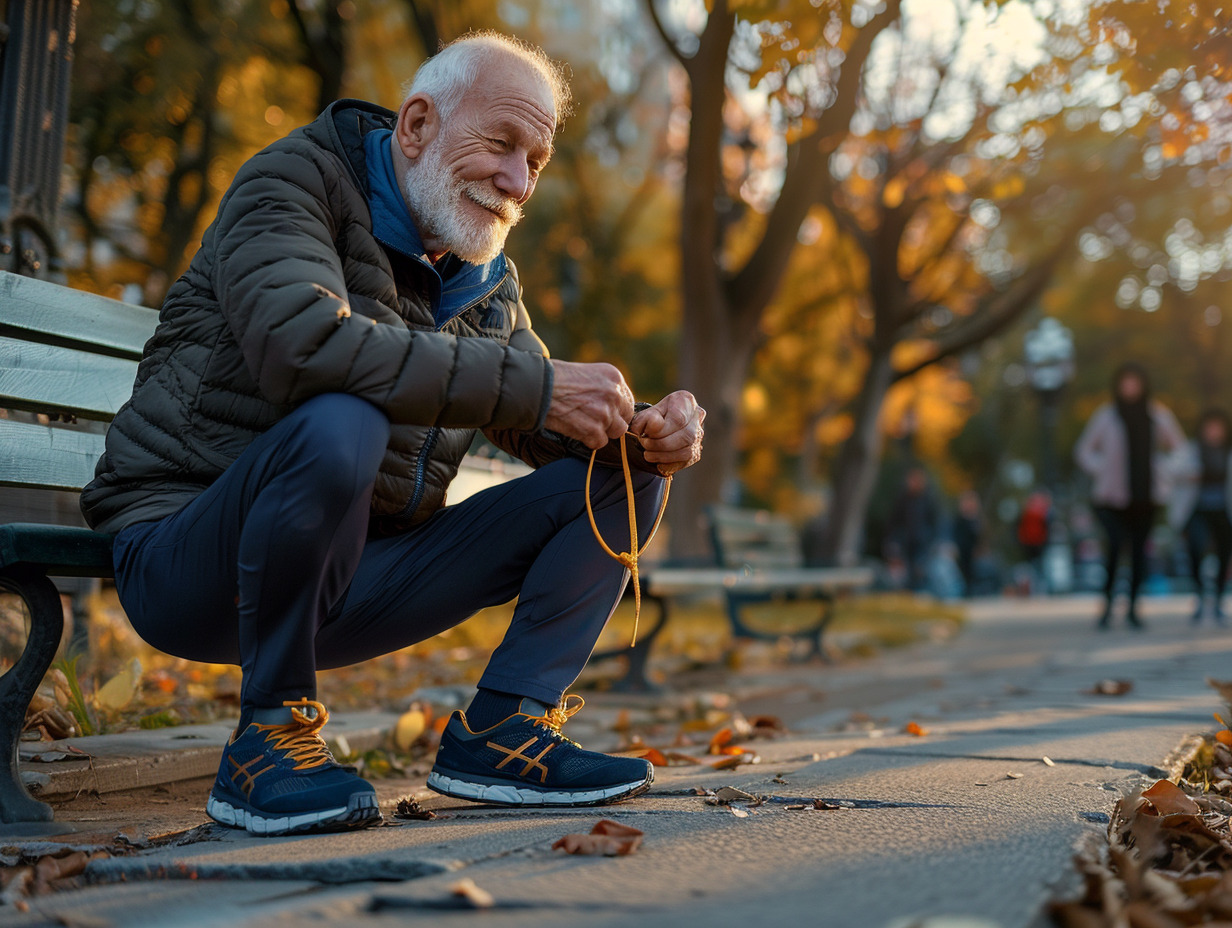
{"x": 49, "y": 379}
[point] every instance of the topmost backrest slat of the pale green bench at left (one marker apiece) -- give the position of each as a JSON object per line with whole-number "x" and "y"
{"x": 38, "y": 311}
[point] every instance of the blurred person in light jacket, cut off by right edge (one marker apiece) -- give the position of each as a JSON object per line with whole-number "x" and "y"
{"x": 1201, "y": 505}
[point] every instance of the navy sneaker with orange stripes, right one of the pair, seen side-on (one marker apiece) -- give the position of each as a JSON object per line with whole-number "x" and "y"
{"x": 525, "y": 761}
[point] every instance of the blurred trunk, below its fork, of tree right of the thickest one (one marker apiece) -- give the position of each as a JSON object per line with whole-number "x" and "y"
{"x": 856, "y": 473}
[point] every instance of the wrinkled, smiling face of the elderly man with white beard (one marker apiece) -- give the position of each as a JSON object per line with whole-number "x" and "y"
{"x": 468, "y": 188}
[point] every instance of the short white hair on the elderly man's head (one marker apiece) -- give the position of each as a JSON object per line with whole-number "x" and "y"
{"x": 449, "y": 75}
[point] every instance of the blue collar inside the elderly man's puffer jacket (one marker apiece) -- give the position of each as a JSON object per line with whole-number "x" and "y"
{"x": 454, "y": 285}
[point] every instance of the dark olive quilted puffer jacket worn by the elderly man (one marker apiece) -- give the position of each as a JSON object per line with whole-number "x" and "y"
{"x": 291, "y": 296}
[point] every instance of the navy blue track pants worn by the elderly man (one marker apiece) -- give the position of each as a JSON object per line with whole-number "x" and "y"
{"x": 272, "y": 568}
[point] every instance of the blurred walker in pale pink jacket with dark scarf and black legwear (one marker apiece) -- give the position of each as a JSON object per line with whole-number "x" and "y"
{"x": 1129, "y": 449}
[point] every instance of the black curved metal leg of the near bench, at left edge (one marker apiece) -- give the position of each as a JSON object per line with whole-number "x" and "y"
{"x": 19, "y": 685}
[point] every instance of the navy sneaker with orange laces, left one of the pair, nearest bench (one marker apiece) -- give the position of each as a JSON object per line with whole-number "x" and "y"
{"x": 282, "y": 779}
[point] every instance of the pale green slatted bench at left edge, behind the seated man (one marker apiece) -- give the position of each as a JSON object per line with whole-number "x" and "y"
{"x": 68, "y": 359}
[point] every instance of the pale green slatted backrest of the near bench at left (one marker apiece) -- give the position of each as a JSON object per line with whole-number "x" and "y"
{"x": 70, "y": 354}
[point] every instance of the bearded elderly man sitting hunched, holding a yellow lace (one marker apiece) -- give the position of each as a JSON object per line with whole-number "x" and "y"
{"x": 278, "y": 480}
